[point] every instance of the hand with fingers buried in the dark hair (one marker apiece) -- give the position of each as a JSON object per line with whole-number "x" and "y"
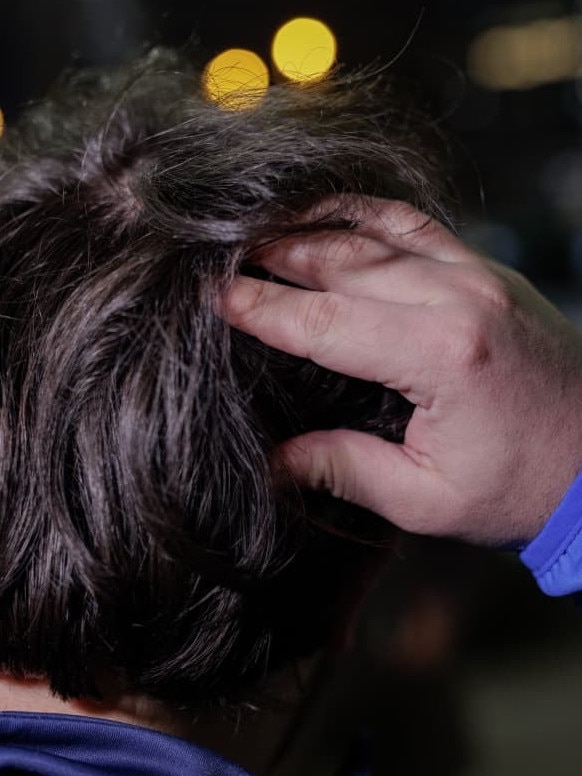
{"x": 494, "y": 370}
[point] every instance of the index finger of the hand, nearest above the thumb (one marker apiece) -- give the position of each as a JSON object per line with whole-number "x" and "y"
{"x": 396, "y": 345}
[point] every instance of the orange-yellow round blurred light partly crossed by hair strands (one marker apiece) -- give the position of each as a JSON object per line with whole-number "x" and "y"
{"x": 236, "y": 79}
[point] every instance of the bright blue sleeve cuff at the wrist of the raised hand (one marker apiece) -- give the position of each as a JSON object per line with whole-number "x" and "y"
{"x": 555, "y": 555}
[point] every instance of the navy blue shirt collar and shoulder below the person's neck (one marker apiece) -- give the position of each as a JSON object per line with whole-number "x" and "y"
{"x": 66, "y": 745}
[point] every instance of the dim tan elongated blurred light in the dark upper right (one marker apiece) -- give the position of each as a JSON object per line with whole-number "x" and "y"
{"x": 522, "y": 57}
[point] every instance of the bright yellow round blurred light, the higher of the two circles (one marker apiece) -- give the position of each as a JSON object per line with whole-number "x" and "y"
{"x": 304, "y": 49}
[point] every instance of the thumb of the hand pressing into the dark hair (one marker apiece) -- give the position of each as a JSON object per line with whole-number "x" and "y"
{"x": 366, "y": 470}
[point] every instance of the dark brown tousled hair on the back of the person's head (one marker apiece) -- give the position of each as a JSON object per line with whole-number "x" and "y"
{"x": 140, "y": 528}
